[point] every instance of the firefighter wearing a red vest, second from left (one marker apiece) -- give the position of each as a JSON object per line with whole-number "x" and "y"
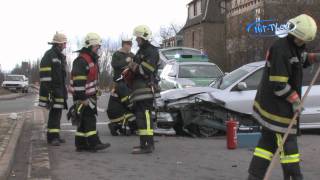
{"x": 83, "y": 86}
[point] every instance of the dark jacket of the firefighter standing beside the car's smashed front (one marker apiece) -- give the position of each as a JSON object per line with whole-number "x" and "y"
{"x": 145, "y": 77}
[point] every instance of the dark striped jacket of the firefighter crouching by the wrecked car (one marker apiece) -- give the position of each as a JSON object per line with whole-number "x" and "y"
{"x": 119, "y": 105}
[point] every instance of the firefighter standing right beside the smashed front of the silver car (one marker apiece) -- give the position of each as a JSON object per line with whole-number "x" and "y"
{"x": 144, "y": 68}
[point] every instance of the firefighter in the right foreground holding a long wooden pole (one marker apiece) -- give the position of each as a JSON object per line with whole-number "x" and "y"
{"x": 278, "y": 98}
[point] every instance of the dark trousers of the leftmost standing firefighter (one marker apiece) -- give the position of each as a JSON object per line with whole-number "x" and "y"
{"x": 53, "y": 126}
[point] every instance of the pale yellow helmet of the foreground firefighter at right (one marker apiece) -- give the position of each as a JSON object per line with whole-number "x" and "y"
{"x": 305, "y": 28}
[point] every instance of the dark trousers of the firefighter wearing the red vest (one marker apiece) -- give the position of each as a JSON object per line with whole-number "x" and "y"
{"x": 86, "y": 135}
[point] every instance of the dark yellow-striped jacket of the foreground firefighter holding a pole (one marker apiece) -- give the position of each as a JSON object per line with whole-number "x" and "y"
{"x": 282, "y": 79}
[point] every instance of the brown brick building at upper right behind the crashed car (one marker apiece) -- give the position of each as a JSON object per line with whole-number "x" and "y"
{"x": 236, "y": 32}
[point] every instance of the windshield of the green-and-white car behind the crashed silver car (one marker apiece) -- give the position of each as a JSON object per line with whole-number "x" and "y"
{"x": 199, "y": 71}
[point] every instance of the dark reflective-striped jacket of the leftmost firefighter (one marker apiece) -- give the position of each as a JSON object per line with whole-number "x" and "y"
{"x": 53, "y": 91}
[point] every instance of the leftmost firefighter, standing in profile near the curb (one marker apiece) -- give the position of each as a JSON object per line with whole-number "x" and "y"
{"x": 53, "y": 93}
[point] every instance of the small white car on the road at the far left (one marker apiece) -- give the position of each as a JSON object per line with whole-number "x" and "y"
{"x": 16, "y": 82}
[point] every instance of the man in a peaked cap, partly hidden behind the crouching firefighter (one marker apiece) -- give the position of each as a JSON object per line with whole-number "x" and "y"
{"x": 121, "y": 58}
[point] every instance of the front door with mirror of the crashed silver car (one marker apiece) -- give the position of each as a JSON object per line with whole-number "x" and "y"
{"x": 241, "y": 100}
